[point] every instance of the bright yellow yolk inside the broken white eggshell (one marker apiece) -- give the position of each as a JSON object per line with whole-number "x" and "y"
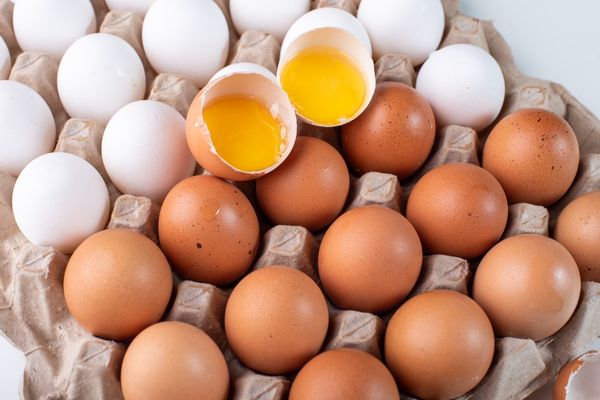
{"x": 324, "y": 85}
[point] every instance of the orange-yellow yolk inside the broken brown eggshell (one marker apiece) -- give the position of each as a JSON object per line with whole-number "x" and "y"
{"x": 244, "y": 132}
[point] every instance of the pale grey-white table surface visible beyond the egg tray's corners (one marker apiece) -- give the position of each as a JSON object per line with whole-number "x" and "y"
{"x": 551, "y": 39}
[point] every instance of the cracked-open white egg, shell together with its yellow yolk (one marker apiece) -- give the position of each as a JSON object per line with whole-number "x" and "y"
{"x": 326, "y": 67}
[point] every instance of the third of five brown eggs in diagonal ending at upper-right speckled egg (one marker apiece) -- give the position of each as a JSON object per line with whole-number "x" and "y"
{"x": 370, "y": 258}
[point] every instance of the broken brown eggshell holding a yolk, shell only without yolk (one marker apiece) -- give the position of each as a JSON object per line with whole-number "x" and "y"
{"x": 242, "y": 79}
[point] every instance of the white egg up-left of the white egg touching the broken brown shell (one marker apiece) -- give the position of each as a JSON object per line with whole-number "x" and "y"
{"x": 99, "y": 74}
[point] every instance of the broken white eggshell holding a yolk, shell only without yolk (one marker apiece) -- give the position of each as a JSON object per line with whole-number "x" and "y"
{"x": 335, "y": 28}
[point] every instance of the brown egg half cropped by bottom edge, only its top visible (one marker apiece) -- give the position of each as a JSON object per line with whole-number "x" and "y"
{"x": 347, "y": 374}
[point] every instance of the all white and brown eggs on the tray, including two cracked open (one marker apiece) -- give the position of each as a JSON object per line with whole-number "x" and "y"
{"x": 243, "y": 126}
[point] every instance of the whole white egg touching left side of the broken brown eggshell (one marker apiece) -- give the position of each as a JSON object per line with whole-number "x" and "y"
{"x": 145, "y": 151}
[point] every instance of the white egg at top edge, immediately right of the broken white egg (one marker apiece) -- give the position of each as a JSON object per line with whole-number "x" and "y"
{"x": 413, "y": 28}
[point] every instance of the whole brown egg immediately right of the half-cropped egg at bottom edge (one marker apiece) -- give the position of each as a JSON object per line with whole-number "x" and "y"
{"x": 439, "y": 345}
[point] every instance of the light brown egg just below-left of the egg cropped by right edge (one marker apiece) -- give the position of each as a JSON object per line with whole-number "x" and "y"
{"x": 529, "y": 286}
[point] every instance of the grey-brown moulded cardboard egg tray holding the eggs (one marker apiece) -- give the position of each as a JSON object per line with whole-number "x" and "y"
{"x": 65, "y": 362}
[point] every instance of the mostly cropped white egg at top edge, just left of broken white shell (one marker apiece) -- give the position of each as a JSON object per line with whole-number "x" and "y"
{"x": 248, "y": 15}
